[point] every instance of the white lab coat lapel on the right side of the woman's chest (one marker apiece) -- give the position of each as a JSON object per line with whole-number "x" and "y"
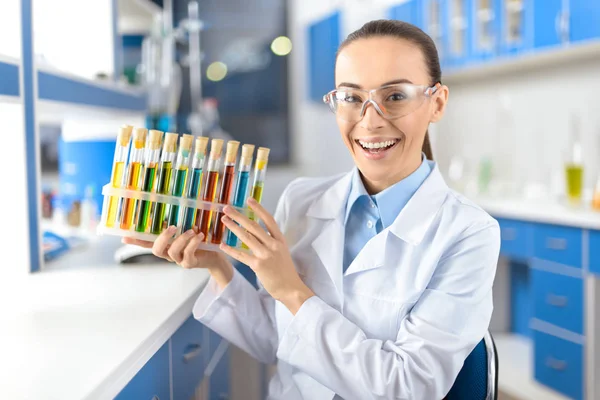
{"x": 410, "y": 225}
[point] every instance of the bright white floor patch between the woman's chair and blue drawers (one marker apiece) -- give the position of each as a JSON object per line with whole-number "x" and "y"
{"x": 515, "y": 357}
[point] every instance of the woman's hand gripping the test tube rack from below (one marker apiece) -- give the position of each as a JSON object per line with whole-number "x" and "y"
{"x": 184, "y": 251}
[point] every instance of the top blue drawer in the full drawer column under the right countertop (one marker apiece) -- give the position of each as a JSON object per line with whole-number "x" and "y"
{"x": 558, "y": 244}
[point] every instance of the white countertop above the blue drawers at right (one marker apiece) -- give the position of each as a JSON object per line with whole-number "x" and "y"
{"x": 540, "y": 211}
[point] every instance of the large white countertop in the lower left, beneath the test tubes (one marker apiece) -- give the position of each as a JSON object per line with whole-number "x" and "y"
{"x": 84, "y": 333}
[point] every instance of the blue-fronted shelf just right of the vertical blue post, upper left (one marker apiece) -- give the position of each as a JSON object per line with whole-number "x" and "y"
{"x": 65, "y": 88}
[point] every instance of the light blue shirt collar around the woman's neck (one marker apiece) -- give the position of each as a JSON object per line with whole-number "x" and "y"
{"x": 393, "y": 199}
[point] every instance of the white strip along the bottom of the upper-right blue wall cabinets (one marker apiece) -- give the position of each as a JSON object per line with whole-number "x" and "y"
{"x": 535, "y": 59}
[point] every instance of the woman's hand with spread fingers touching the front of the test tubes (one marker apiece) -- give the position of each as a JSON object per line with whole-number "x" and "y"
{"x": 270, "y": 258}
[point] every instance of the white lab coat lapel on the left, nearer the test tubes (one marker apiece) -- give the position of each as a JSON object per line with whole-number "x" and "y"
{"x": 329, "y": 243}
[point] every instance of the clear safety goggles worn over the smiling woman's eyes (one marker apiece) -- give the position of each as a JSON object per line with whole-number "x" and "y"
{"x": 390, "y": 101}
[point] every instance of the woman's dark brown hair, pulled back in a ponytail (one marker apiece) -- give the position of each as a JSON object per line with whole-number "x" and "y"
{"x": 406, "y": 31}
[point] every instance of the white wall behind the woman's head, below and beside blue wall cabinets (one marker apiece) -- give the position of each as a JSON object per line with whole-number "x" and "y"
{"x": 527, "y": 148}
